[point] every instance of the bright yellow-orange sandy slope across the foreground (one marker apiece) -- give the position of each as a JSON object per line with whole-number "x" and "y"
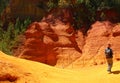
{"x": 33, "y": 72}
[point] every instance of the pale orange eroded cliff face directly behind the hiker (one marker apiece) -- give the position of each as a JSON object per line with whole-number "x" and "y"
{"x": 100, "y": 34}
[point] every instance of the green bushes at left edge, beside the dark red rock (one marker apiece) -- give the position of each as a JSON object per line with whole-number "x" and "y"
{"x": 10, "y": 37}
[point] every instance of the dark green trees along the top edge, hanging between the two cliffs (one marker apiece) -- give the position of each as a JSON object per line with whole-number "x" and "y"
{"x": 85, "y": 11}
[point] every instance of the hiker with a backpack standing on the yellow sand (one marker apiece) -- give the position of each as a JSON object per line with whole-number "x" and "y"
{"x": 109, "y": 56}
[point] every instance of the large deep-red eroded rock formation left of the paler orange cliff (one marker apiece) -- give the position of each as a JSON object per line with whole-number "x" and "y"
{"x": 44, "y": 42}
